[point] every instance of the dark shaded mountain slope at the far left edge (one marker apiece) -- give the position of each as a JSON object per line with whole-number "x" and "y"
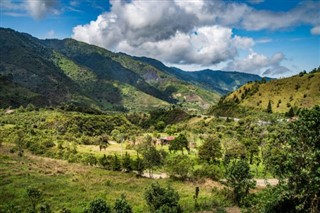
{"x": 29, "y": 76}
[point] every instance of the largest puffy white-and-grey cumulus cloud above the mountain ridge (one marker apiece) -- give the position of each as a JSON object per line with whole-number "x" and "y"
{"x": 170, "y": 31}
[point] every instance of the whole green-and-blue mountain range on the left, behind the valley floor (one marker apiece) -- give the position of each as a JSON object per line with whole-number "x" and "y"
{"x": 70, "y": 73}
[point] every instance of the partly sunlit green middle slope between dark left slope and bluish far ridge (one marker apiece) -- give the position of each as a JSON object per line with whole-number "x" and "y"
{"x": 124, "y": 69}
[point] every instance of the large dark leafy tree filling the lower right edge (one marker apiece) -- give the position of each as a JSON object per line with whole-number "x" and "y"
{"x": 301, "y": 165}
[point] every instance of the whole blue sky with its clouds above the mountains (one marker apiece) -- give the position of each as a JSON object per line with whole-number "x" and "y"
{"x": 275, "y": 38}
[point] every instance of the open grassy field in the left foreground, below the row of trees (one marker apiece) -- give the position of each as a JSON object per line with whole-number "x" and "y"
{"x": 73, "y": 186}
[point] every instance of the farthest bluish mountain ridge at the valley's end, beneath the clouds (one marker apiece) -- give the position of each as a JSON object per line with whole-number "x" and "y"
{"x": 222, "y": 82}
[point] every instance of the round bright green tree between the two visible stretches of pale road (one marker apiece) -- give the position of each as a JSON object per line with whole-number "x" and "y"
{"x": 179, "y": 166}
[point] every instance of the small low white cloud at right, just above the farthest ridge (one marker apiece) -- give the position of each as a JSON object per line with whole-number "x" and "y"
{"x": 259, "y": 64}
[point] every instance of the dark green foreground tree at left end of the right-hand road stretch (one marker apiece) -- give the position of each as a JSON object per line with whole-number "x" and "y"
{"x": 240, "y": 179}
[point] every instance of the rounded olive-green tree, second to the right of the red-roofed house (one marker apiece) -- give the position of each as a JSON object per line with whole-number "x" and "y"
{"x": 210, "y": 150}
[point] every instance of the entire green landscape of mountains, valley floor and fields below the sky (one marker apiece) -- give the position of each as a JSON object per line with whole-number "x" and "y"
{"x": 84, "y": 129}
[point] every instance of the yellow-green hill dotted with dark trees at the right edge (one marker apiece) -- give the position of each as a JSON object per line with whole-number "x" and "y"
{"x": 299, "y": 91}
